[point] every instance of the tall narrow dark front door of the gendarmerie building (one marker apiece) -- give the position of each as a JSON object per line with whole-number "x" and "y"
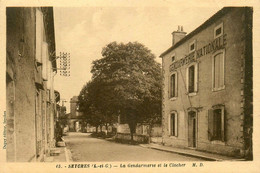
{"x": 192, "y": 129}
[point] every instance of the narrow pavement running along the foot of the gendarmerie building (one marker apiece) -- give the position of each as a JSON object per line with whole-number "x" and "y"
{"x": 190, "y": 152}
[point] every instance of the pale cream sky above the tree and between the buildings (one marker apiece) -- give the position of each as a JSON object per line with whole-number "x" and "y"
{"x": 84, "y": 31}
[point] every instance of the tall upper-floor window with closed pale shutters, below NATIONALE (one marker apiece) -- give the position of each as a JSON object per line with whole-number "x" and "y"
{"x": 218, "y": 71}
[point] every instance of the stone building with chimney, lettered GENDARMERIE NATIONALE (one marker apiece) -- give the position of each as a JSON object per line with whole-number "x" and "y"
{"x": 207, "y": 85}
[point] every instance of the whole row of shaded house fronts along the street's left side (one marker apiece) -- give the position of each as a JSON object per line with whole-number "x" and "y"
{"x": 30, "y": 69}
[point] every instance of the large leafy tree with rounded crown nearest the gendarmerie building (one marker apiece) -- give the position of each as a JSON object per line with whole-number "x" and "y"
{"x": 127, "y": 80}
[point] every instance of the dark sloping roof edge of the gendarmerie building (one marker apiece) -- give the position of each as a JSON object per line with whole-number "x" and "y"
{"x": 208, "y": 22}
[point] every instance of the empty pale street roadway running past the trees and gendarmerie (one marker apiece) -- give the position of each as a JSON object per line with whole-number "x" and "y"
{"x": 85, "y": 148}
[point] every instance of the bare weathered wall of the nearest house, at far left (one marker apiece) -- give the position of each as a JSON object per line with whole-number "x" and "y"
{"x": 21, "y": 106}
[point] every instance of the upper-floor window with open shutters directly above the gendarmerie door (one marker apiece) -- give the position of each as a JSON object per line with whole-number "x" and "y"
{"x": 191, "y": 78}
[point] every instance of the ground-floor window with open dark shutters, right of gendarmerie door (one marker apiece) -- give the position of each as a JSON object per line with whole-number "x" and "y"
{"x": 216, "y": 124}
